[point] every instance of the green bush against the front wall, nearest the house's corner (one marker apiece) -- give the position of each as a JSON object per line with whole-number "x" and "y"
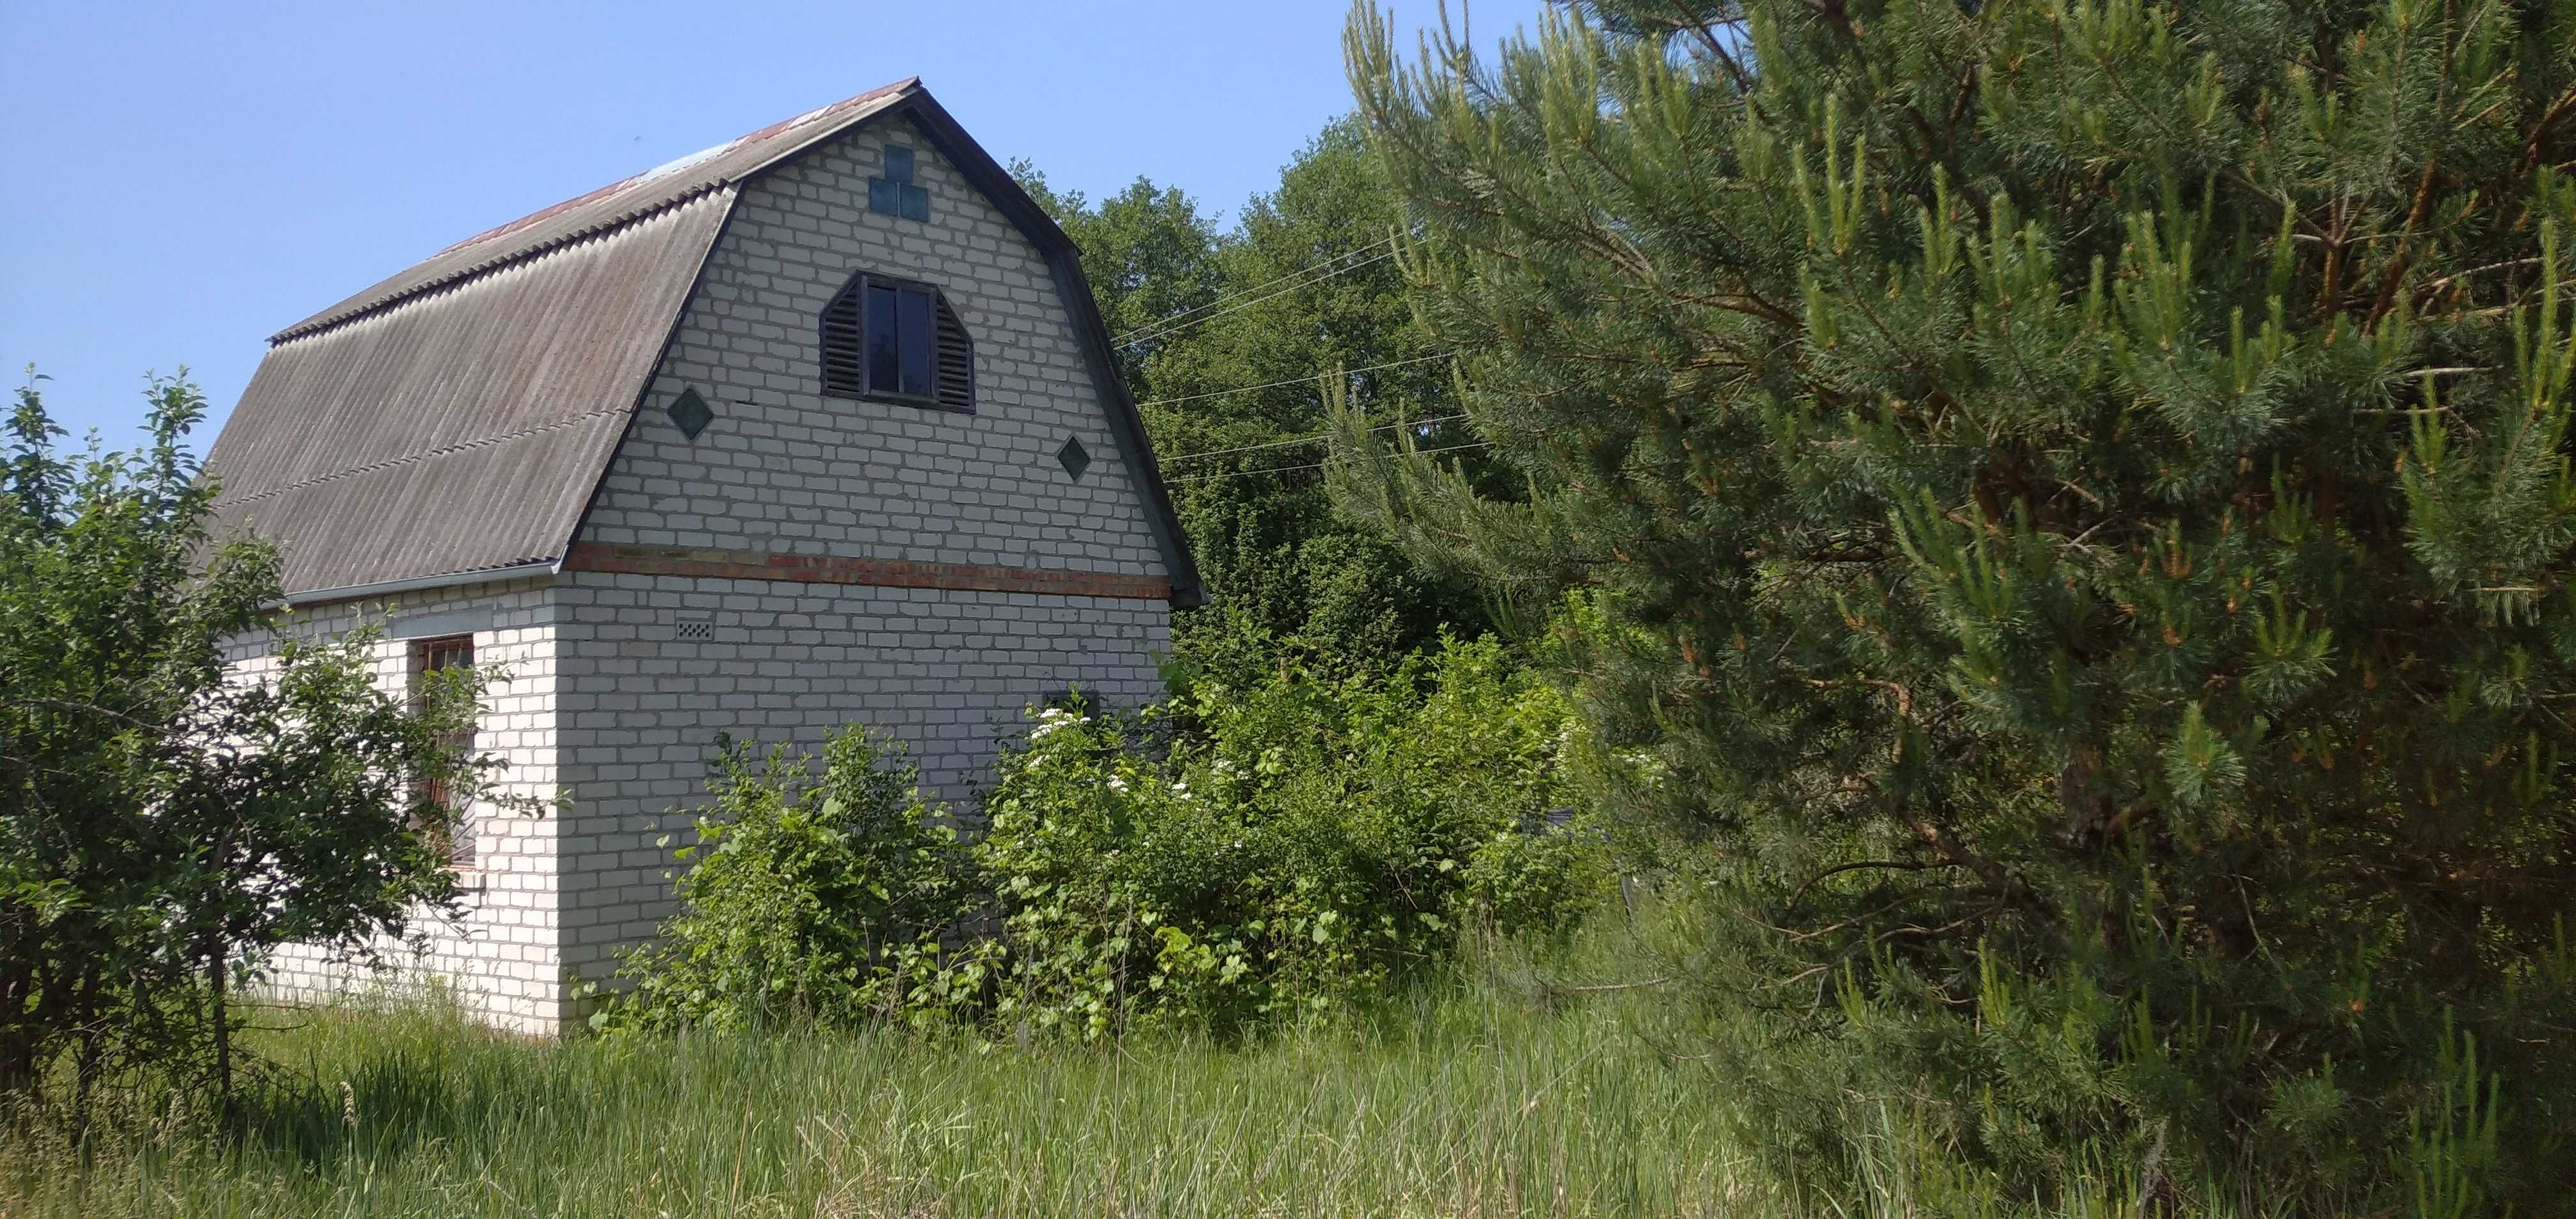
{"x": 802, "y": 893}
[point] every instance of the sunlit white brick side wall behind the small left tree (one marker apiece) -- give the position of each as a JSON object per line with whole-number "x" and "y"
{"x": 504, "y": 960}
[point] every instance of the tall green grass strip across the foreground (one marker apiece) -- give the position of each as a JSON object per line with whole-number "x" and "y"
{"x": 1470, "y": 1107}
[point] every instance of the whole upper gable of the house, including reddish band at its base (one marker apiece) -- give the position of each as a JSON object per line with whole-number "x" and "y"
{"x": 792, "y": 483}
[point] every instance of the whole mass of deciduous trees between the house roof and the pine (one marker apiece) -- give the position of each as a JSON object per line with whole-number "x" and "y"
{"x": 1230, "y": 344}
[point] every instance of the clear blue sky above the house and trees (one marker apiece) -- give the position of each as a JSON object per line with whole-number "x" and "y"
{"x": 189, "y": 179}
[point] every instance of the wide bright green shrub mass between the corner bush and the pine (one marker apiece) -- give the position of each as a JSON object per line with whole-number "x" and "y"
{"x": 1300, "y": 847}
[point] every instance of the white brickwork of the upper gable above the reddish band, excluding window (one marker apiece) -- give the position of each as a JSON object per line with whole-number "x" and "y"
{"x": 875, "y": 478}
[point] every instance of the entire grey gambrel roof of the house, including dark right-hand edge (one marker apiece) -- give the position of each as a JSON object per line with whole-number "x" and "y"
{"x": 455, "y": 421}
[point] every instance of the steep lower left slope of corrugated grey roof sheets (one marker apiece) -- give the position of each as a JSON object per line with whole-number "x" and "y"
{"x": 460, "y": 429}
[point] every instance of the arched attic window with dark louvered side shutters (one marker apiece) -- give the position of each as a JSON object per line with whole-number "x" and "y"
{"x": 898, "y": 341}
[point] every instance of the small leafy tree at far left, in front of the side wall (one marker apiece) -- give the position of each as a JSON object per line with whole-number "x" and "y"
{"x": 166, "y": 826}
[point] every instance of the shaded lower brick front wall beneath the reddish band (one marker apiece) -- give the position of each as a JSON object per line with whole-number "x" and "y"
{"x": 944, "y": 671}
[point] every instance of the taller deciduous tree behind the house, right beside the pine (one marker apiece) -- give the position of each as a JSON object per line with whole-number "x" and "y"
{"x": 1315, "y": 308}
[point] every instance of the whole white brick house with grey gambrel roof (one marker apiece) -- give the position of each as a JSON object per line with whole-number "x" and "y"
{"x": 805, "y": 429}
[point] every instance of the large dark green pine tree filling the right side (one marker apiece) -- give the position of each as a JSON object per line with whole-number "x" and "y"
{"x": 2070, "y": 504}
